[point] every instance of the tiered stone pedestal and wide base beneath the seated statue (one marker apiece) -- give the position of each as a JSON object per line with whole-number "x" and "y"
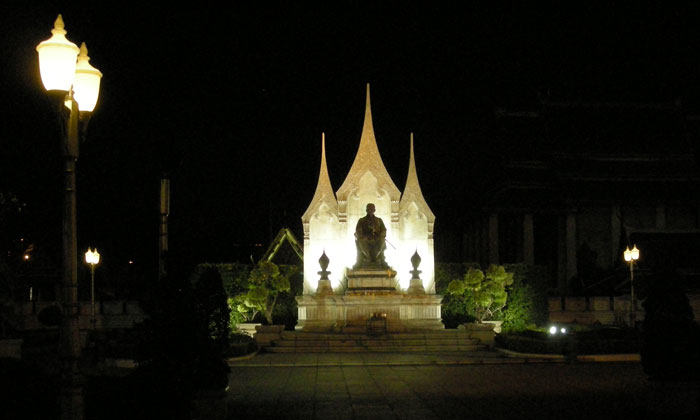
{"x": 371, "y": 294}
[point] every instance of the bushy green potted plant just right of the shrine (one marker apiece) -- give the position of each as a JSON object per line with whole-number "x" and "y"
{"x": 483, "y": 293}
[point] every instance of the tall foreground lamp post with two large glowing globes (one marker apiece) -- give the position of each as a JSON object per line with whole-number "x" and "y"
{"x": 74, "y": 85}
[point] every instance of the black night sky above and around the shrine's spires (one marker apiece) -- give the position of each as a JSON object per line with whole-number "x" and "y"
{"x": 232, "y": 103}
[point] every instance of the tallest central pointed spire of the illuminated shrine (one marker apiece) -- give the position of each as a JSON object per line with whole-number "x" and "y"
{"x": 368, "y": 159}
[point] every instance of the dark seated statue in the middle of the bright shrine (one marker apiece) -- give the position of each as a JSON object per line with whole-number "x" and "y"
{"x": 370, "y": 235}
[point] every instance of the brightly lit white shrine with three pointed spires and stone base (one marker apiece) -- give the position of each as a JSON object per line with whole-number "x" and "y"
{"x": 339, "y": 296}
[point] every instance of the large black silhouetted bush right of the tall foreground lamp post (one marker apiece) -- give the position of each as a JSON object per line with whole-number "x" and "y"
{"x": 182, "y": 344}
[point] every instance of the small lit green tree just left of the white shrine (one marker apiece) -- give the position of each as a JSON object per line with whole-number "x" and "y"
{"x": 265, "y": 283}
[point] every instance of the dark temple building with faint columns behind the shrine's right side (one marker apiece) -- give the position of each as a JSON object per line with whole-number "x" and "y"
{"x": 579, "y": 182}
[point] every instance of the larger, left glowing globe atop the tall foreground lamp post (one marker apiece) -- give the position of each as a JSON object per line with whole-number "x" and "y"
{"x": 57, "y": 59}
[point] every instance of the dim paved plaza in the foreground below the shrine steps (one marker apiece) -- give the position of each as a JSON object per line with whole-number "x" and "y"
{"x": 448, "y": 386}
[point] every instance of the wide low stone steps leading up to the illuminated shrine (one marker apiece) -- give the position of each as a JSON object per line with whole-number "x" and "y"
{"x": 426, "y": 341}
